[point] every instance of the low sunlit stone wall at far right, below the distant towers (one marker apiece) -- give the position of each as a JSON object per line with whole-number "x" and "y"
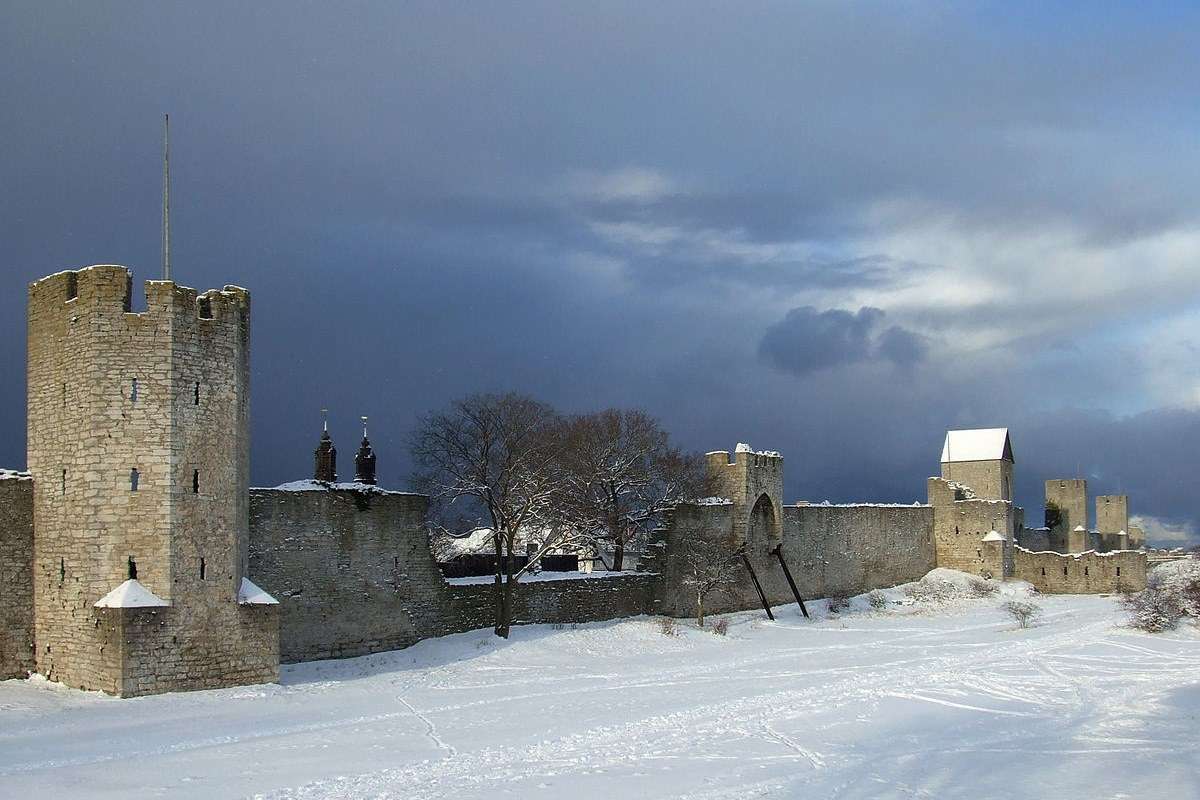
{"x": 1082, "y": 573}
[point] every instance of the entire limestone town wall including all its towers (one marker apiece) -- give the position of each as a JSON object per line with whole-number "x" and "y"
{"x": 136, "y": 560}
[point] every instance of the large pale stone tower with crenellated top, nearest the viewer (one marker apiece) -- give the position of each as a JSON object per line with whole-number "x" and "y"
{"x": 139, "y": 447}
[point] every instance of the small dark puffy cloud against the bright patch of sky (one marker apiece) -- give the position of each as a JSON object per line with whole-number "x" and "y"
{"x": 808, "y": 340}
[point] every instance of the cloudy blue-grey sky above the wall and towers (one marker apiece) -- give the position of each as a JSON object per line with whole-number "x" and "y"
{"x": 831, "y": 230}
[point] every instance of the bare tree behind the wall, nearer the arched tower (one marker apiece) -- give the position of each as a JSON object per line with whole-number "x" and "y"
{"x": 622, "y": 474}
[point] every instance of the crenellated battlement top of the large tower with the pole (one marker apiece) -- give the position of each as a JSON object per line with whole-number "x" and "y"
{"x": 107, "y": 290}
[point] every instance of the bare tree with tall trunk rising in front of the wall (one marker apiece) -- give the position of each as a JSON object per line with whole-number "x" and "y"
{"x": 493, "y": 461}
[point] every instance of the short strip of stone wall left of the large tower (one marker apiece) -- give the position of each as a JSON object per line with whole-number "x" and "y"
{"x": 16, "y": 575}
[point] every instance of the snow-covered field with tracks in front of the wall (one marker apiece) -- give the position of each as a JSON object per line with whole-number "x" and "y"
{"x": 925, "y": 701}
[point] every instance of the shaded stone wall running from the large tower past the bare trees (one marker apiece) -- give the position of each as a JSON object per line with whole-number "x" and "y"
{"x": 355, "y": 574}
